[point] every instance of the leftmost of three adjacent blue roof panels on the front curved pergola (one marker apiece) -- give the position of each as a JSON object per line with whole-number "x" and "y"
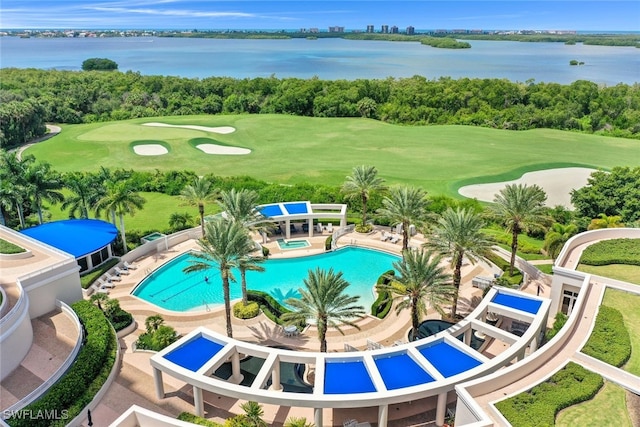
{"x": 341, "y": 377}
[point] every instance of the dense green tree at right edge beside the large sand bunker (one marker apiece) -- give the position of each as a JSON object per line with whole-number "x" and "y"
{"x": 615, "y": 193}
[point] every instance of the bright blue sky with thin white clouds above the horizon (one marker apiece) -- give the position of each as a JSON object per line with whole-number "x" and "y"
{"x": 352, "y": 14}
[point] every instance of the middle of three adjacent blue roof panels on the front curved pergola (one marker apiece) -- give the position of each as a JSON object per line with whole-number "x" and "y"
{"x": 400, "y": 370}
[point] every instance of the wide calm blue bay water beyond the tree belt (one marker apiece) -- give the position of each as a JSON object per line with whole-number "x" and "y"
{"x": 330, "y": 59}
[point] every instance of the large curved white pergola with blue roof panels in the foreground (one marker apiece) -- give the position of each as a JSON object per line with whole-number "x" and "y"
{"x": 509, "y": 303}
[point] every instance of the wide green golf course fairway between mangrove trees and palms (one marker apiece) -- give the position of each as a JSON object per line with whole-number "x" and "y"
{"x": 289, "y": 149}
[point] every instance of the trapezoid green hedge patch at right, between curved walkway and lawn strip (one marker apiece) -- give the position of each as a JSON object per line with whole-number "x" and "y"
{"x": 609, "y": 340}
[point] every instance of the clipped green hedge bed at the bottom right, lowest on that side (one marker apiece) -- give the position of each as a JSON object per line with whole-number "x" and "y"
{"x": 539, "y": 406}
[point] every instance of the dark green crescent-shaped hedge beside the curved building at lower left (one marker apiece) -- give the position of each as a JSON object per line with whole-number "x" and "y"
{"x": 74, "y": 391}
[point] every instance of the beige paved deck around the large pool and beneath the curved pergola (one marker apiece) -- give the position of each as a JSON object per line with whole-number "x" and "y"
{"x": 134, "y": 383}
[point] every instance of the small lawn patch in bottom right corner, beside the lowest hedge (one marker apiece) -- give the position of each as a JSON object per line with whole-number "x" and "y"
{"x": 607, "y": 408}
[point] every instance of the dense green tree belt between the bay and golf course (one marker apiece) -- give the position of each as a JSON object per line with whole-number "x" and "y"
{"x": 30, "y": 97}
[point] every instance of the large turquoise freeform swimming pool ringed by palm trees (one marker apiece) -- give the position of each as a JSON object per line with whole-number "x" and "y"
{"x": 170, "y": 288}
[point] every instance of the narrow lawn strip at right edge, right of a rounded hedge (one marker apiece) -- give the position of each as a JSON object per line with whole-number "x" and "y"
{"x": 629, "y": 305}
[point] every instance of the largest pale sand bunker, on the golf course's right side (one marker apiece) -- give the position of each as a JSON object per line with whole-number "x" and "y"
{"x": 557, "y": 183}
